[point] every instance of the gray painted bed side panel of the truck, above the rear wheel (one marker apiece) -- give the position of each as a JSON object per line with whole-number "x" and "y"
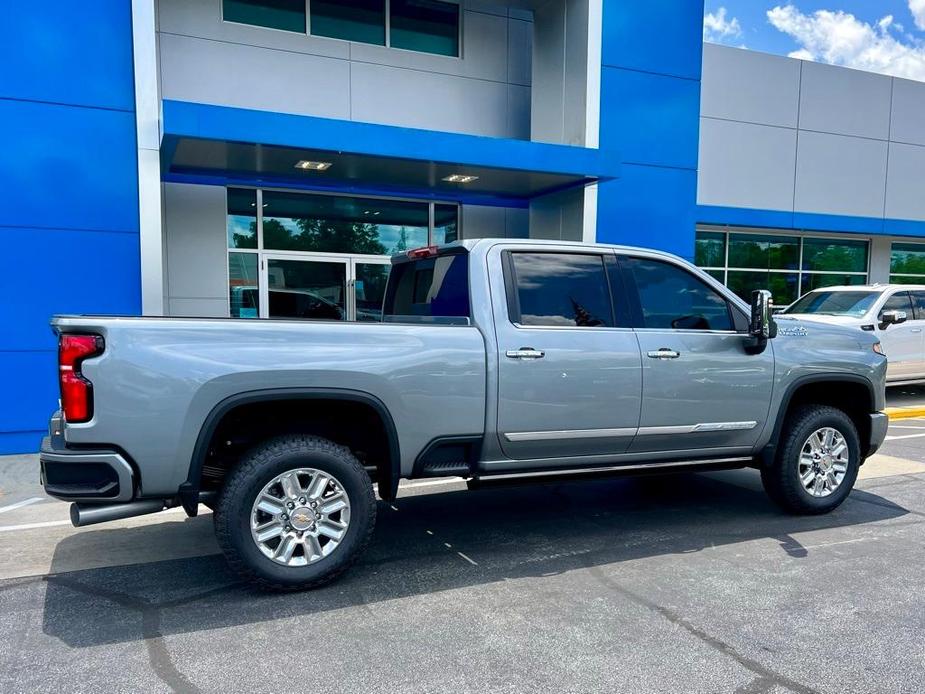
{"x": 159, "y": 378}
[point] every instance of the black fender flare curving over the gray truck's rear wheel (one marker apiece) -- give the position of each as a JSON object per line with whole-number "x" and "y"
{"x": 388, "y": 485}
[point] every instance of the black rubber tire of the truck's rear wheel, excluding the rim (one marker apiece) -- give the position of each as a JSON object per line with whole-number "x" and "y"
{"x": 256, "y": 469}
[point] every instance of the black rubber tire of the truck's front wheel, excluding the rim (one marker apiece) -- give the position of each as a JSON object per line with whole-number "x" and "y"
{"x": 781, "y": 480}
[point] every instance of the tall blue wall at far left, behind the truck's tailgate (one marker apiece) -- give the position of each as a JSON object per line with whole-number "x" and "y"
{"x": 68, "y": 189}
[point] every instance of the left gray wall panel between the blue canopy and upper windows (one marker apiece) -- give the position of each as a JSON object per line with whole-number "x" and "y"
{"x": 232, "y": 74}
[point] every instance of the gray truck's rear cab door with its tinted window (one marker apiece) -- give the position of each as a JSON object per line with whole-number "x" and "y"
{"x": 568, "y": 372}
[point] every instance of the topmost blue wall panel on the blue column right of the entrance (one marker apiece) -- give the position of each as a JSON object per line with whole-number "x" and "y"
{"x": 660, "y": 36}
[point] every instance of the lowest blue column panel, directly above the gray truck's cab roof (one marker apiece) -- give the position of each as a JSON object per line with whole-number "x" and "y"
{"x": 649, "y": 206}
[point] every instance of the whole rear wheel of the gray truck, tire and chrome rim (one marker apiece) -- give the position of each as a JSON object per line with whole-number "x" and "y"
{"x": 295, "y": 513}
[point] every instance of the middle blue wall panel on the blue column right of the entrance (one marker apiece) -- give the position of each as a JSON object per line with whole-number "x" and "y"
{"x": 651, "y": 119}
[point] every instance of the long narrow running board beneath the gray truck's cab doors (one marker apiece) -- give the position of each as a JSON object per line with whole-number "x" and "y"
{"x": 545, "y": 477}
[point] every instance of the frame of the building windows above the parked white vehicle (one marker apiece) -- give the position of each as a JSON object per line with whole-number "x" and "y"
{"x": 800, "y": 236}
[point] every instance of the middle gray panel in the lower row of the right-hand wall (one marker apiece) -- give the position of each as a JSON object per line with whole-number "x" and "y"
{"x": 840, "y": 175}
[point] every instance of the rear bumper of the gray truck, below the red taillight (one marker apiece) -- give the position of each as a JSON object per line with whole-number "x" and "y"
{"x": 98, "y": 475}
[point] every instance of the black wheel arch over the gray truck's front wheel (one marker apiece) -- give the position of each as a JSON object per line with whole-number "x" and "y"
{"x": 809, "y": 389}
